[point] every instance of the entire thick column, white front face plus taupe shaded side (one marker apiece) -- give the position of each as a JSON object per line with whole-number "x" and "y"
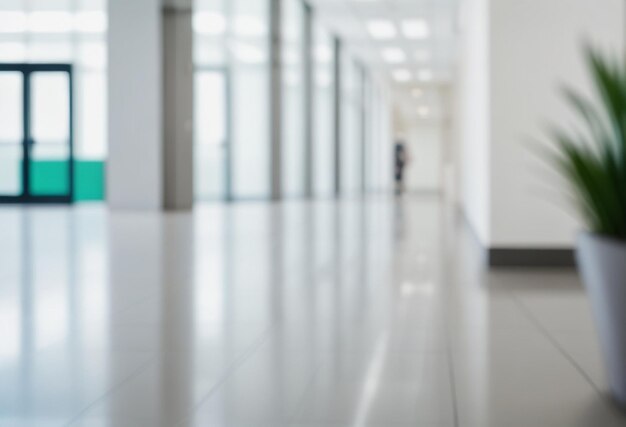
{"x": 150, "y": 86}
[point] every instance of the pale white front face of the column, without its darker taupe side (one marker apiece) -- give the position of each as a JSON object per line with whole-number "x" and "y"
{"x": 134, "y": 167}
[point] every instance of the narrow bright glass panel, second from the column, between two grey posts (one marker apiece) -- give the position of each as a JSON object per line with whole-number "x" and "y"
{"x": 293, "y": 138}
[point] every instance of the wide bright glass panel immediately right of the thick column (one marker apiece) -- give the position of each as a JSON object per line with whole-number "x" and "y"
{"x": 232, "y": 37}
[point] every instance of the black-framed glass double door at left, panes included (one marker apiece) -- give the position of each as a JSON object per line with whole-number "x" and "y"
{"x": 36, "y": 139}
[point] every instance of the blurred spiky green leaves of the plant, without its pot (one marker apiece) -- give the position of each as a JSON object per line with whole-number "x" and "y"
{"x": 593, "y": 159}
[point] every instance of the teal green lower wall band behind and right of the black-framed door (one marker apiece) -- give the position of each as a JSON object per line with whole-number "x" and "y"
{"x": 50, "y": 177}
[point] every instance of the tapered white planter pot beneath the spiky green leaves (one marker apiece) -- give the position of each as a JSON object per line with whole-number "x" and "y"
{"x": 602, "y": 263}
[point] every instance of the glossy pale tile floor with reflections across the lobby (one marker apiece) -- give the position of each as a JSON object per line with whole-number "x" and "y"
{"x": 355, "y": 313}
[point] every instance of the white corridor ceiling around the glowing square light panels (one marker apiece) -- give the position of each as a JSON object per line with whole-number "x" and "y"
{"x": 348, "y": 19}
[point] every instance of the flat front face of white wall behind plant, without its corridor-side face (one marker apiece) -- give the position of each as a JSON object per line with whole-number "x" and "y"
{"x": 535, "y": 46}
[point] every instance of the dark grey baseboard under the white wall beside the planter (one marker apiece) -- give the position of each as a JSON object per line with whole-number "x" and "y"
{"x": 531, "y": 257}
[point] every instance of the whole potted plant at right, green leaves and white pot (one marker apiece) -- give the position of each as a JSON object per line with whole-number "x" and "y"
{"x": 593, "y": 161}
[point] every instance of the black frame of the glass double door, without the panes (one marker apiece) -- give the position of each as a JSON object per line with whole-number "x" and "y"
{"x": 27, "y": 141}
